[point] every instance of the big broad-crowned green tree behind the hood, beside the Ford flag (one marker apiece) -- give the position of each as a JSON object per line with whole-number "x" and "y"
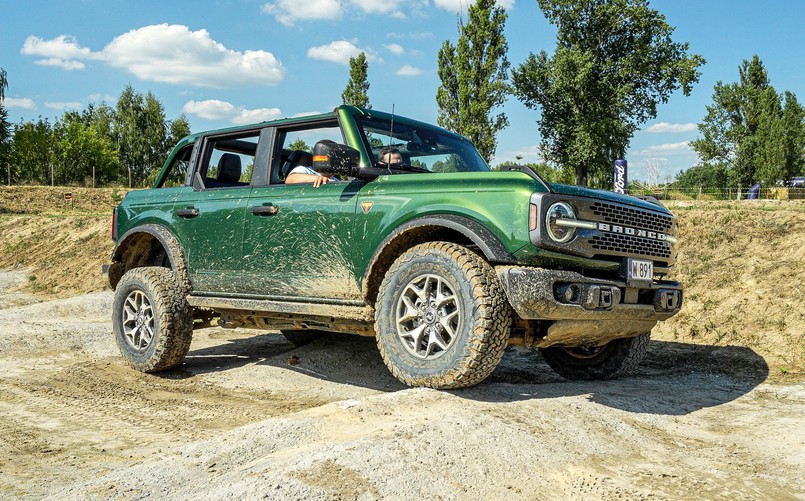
{"x": 614, "y": 62}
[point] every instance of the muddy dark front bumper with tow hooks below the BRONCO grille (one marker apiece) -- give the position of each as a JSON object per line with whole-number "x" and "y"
{"x": 584, "y": 310}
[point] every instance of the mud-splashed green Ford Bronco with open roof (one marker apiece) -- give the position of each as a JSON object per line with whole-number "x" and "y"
{"x": 442, "y": 260}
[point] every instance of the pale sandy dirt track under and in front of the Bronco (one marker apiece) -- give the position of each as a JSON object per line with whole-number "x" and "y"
{"x": 236, "y": 420}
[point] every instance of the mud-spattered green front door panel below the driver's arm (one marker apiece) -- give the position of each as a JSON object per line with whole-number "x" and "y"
{"x": 298, "y": 241}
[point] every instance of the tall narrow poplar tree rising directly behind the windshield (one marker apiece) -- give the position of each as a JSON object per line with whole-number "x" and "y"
{"x": 474, "y": 77}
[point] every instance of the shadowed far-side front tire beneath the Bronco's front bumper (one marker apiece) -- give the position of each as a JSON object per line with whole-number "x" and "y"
{"x": 617, "y": 358}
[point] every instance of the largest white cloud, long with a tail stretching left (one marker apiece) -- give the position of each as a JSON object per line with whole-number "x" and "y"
{"x": 165, "y": 53}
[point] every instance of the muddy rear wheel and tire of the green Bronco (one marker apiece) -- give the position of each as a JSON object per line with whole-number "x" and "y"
{"x": 152, "y": 321}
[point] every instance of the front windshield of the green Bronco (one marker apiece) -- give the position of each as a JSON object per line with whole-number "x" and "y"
{"x": 422, "y": 148}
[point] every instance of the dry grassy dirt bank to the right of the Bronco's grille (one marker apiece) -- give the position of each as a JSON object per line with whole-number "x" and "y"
{"x": 743, "y": 267}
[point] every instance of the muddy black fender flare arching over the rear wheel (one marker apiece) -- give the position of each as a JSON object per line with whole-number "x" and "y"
{"x": 167, "y": 240}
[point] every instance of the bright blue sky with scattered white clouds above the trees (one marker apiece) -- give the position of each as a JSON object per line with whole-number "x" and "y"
{"x": 240, "y": 61}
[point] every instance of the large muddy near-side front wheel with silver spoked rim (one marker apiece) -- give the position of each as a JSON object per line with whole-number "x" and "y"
{"x": 442, "y": 319}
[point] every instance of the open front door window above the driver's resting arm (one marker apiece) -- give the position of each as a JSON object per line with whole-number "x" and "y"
{"x": 294, "y": 148}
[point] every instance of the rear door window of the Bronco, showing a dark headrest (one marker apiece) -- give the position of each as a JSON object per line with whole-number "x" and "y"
{"x": 228, "y": 161}
